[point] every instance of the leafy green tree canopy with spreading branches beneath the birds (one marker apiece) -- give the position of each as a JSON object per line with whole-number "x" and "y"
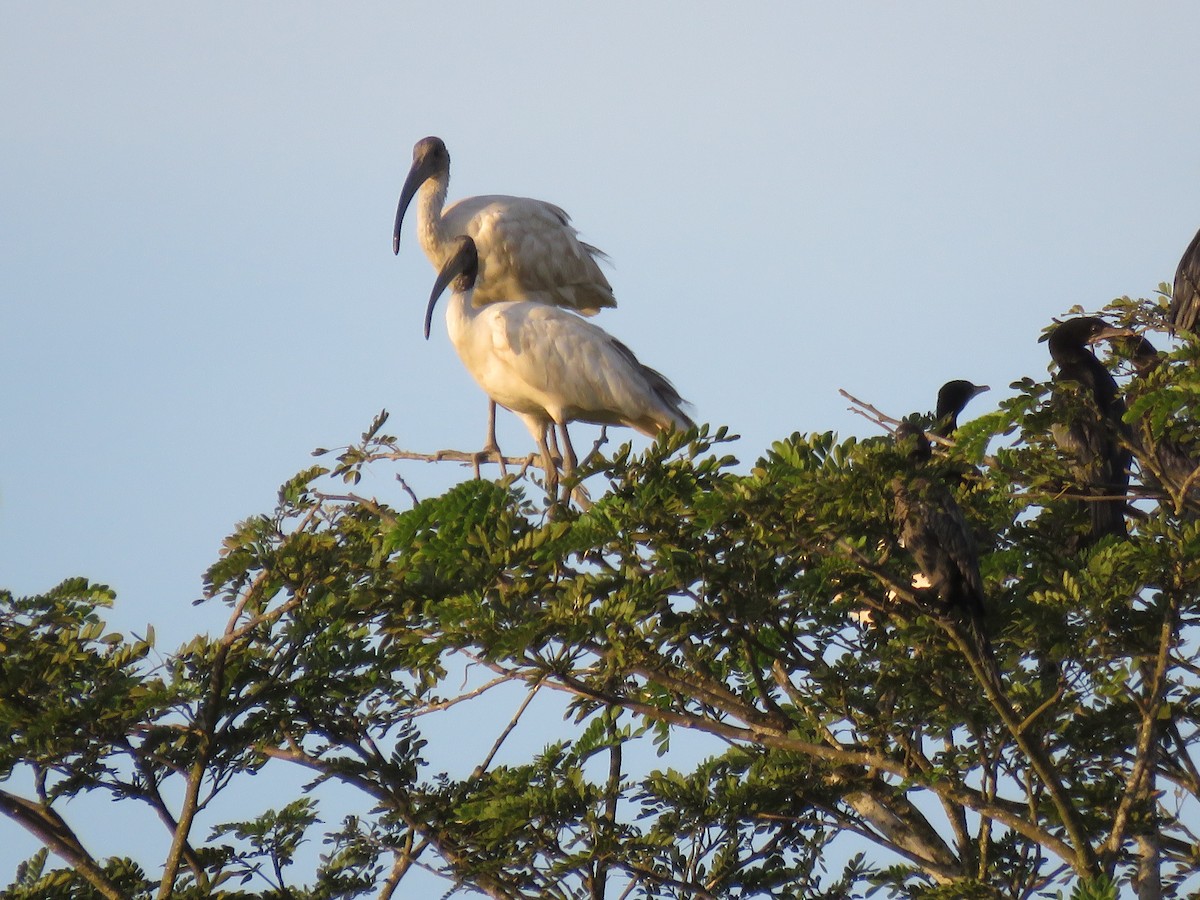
{"x": 854, "y": 735}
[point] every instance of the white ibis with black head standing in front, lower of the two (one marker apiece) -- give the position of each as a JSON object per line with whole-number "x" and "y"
{"x": 550, "y": 367}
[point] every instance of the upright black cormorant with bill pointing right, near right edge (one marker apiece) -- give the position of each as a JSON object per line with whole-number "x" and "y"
{"x": 1093, "y": 437}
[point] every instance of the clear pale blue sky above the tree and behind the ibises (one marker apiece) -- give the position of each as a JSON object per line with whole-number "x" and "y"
{"x": 199, "y": 286}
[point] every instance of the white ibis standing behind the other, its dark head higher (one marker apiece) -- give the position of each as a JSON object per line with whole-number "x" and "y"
{"x": 527, "y": 249}
